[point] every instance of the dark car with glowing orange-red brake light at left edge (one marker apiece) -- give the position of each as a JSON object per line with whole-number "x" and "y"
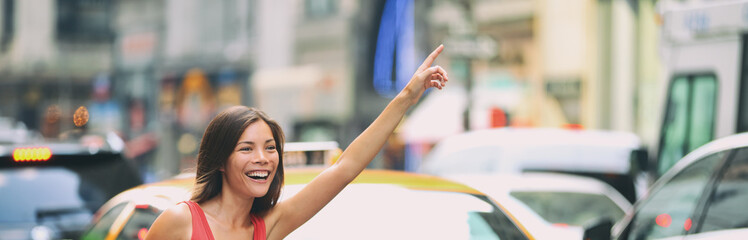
{"x": 50, "y": 189}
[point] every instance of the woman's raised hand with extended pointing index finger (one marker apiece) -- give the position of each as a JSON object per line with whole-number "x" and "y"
{"x": 426, "y": 77}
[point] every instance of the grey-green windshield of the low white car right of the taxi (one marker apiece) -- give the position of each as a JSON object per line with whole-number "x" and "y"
{"x": 569, "y": 207}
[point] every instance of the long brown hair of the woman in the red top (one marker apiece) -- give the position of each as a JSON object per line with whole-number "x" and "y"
{"x": 218, "y": 143}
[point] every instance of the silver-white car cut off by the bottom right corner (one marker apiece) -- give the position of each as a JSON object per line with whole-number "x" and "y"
{"x": 703, "y": 196}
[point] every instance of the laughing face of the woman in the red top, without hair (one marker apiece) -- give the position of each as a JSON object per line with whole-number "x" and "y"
{"x": 251, "y": 166}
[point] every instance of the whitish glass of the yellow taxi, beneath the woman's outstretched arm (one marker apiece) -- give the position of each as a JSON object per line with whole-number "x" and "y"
{"x": 381, "y": 211}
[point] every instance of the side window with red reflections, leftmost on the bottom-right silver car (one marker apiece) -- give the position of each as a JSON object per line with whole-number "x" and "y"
{"x": 667, "y": 212}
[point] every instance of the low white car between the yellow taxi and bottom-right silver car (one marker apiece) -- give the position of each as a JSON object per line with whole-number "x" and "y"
{"x": 558, "y": 205}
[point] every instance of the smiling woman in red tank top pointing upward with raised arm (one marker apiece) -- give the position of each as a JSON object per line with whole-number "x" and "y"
{"x": 240, "y": 173}
